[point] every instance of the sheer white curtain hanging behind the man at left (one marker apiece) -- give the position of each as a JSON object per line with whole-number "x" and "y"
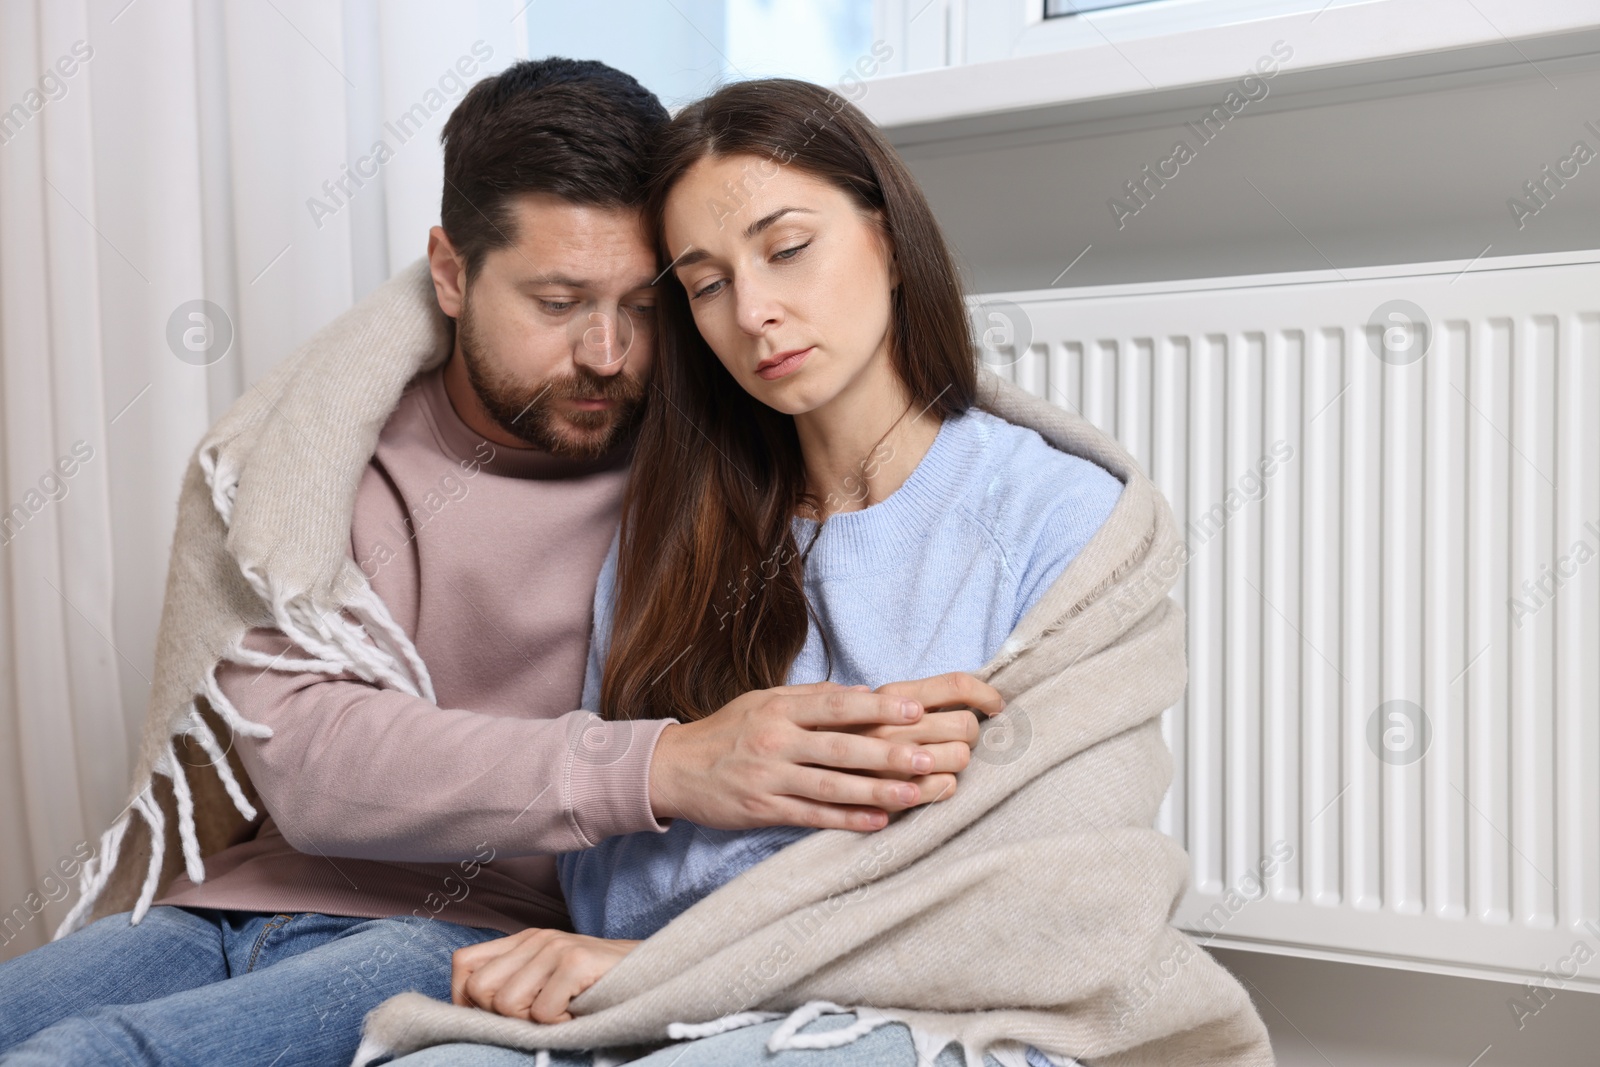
{"x": 156, "y": 154}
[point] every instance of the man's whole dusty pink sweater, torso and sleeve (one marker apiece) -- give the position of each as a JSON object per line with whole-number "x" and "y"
{"x": 382, "y": 804}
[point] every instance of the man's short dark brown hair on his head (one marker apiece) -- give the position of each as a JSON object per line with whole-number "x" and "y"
{"x": 575, "y": 129}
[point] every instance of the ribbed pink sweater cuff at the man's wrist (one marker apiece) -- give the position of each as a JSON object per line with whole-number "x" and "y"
{"x": 609, "y": 778}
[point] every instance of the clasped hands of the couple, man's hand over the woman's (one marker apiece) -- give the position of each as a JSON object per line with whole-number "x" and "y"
{"x": 820, "y": 756}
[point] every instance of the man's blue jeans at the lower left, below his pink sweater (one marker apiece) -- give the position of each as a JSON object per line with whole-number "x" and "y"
{"x": 204, "y": 988}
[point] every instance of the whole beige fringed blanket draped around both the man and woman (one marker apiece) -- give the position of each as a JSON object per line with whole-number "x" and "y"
{"x": 1030, "y": 909}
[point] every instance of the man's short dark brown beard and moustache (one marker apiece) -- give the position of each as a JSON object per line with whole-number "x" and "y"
{"x": 529, "y": 412}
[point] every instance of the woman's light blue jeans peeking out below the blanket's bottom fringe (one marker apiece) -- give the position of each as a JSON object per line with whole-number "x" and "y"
{"x": 882, "y": 1047}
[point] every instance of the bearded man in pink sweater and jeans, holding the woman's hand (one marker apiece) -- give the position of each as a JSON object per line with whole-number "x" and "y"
{"x": 402, "y": 829}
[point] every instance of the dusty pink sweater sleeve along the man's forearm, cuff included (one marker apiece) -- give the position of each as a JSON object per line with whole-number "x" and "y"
{"x": 372, "y": 773}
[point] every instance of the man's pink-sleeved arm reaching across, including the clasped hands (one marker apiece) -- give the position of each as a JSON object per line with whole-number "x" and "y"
{"x": 372, "y": 773}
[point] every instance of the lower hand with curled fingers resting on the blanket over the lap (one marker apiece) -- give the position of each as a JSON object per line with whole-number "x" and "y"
{"x": 532, "y": 975}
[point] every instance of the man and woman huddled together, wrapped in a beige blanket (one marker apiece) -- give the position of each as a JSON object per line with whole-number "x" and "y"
{"x": 681, "y": 425}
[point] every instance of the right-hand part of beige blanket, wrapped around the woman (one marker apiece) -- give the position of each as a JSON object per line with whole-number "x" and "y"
{"x": 1030, "y": 909}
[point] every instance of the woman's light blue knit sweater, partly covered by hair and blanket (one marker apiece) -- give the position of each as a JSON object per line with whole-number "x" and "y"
{"x": 930, "y": 580}
